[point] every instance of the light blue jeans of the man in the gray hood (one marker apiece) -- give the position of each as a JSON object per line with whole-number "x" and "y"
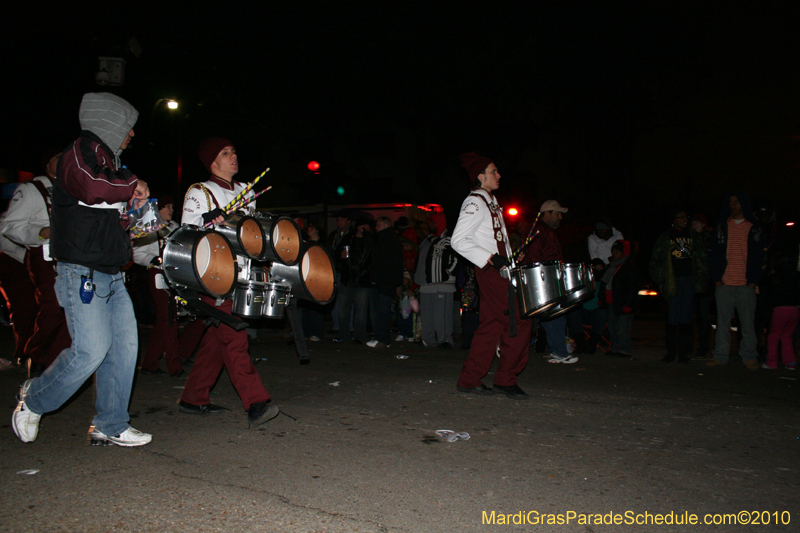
{"x": 105, "y": 340}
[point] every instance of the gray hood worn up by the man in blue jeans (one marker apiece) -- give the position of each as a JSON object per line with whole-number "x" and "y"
{"x": 108, "y": 116}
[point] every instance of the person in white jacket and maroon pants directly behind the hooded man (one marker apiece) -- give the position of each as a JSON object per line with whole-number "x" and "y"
{"x": 27, "y": 223}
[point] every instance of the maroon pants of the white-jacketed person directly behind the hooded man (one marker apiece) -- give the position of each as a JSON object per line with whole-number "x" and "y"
{"x": 50, "y": 333}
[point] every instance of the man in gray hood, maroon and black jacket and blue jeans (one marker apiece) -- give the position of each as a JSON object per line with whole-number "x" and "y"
{"x": 90, "y": 241}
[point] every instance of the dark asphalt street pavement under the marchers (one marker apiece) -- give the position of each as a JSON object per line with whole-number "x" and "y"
{"x": 356, "y": 449}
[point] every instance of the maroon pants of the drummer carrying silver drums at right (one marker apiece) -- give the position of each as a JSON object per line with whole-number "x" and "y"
{"x": 493, "y": 327}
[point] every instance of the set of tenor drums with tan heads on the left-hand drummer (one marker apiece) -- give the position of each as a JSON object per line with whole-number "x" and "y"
{"x": 260, "y": 262}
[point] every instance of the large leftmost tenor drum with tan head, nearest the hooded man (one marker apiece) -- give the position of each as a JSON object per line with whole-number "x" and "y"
{"x": 199, "y": 259}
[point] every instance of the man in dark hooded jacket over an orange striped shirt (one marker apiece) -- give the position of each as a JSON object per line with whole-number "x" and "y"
{"x": 736, "y": 265}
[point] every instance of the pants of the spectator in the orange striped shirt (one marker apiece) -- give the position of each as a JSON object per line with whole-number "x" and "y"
{"x": 742, "y": 299}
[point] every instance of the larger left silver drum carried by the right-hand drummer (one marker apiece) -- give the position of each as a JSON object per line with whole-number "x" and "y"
{"x": 539, "y": 286}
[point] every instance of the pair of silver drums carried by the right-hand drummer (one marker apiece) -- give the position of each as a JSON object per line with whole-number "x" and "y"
{"x": 552, "y": 288}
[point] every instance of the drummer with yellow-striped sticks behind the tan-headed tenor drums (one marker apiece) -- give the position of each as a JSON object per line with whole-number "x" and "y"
{"x": 221, "y": 345}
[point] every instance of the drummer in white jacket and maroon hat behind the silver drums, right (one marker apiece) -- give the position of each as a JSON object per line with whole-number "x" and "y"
{"x": 480, "y": 237}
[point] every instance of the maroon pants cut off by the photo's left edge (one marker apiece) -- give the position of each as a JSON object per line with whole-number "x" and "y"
{"x": 20, "y": 294}
